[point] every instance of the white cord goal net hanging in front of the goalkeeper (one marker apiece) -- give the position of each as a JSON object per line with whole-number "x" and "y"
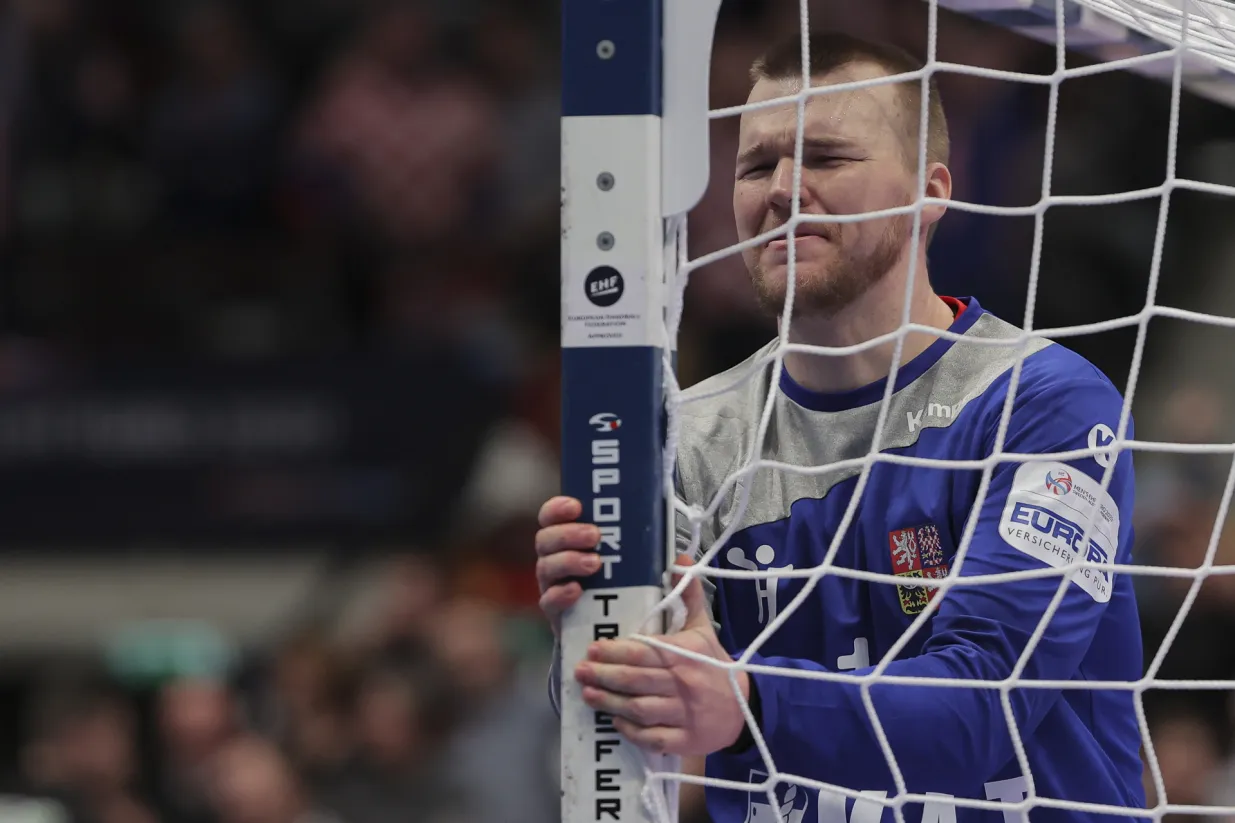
{"x": 1190, "y": 45}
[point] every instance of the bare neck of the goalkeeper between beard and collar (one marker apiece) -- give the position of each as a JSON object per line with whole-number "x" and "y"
{"x": 879, "y": 312}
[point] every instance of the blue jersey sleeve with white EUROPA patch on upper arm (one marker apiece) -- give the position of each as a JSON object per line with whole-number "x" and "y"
{"x": 1039, "y": 516}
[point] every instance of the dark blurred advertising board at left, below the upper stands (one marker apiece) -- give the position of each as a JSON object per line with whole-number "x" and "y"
{"x": 296, "y": 452}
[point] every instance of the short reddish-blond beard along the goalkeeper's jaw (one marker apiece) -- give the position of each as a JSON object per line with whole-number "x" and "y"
{"x": 834, "y": 290}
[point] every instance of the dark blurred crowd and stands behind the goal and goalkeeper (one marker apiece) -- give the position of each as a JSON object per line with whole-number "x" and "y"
{"x": 280, "y": 386}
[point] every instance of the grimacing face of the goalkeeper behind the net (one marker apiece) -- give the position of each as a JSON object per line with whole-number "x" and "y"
{"x": 854, "y": 161}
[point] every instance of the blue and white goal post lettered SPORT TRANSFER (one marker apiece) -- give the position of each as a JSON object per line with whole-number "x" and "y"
{"x": 634, "y": 151}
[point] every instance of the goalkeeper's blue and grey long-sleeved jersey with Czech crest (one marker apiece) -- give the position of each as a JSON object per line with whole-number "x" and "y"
{"x": 1038, "y": 517}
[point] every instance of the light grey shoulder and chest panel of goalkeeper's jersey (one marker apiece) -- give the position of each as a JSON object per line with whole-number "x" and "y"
{"x": 721, "y": 420}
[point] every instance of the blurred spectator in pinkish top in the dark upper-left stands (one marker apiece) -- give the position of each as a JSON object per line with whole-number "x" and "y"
{"x": 409, "y": 141}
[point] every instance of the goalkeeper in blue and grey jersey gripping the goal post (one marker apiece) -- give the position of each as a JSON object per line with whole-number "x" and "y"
{"x": 1040, "y": 516}
